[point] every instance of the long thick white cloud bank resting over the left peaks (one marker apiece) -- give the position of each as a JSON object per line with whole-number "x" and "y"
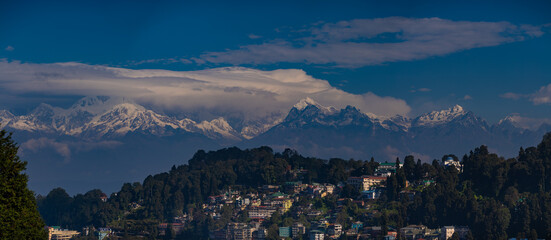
{"x": 249, "y": 92}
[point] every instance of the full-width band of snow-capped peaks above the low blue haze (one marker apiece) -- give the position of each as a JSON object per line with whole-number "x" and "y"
{"x": 308, "y": 122}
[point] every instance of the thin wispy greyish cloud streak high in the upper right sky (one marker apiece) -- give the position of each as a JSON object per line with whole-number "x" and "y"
{"x": 362, "y": 42}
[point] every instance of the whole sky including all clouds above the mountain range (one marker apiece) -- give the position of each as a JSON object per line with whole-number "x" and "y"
{"x": 396, "y": 57}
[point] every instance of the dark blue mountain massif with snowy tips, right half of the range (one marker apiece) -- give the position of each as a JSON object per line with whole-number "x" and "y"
{"x": 317, "y": 130}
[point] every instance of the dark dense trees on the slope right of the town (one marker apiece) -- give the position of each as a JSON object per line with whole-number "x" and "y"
{"x": 496, "y": 197}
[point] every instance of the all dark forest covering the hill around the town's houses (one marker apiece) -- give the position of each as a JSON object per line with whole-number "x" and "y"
{"x": 496, "y": 197}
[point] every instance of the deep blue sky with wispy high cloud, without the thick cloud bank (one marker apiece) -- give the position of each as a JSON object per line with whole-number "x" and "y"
{"x": 491, "y": 57}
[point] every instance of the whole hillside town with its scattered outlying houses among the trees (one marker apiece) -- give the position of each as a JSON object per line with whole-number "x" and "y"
{"x": 302, "y": 211}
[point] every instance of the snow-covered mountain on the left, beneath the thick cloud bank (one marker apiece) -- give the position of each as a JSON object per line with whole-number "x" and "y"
{"x": 98, "y": 117}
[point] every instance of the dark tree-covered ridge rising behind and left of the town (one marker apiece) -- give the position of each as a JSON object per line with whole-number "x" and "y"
{"x": 185, "y": 187}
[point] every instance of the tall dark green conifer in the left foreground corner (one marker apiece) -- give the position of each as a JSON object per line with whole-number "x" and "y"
{"x": 19, "y": 217}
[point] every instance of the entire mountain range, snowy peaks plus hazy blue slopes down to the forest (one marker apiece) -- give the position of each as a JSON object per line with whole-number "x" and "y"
{"x": 100, "y": 139}
